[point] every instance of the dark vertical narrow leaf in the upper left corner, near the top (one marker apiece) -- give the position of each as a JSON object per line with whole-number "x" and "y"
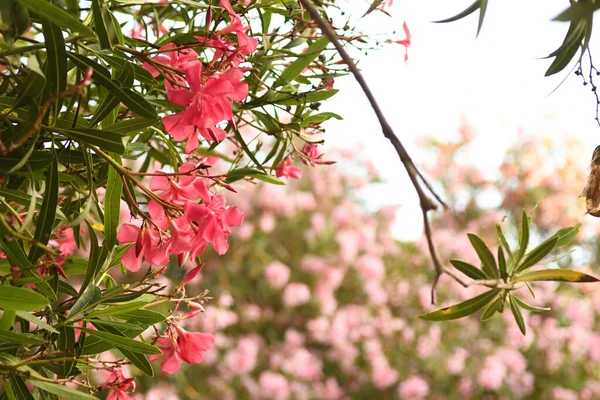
{"x": 57, "y": 57}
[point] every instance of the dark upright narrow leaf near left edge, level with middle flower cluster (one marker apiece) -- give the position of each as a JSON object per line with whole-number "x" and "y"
{"x": 45, "y": 221}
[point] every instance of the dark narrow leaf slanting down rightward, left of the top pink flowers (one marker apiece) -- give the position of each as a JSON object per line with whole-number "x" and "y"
{"x": 131, "y": 99}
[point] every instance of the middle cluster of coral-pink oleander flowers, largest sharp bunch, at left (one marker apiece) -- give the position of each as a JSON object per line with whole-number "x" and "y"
{"x": 179, "y": 225}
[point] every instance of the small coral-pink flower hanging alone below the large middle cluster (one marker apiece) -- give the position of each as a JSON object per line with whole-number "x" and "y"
{"x": 185, "y": 346}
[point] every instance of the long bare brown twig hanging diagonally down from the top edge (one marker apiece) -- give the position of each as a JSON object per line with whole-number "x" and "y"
{"x": 426, "y": 203}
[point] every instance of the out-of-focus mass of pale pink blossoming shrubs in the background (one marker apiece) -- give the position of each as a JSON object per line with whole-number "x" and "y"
{"x": 323, "y": 303}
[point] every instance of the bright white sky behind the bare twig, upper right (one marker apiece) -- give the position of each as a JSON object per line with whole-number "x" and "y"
{"x": 496, "y": 81}
